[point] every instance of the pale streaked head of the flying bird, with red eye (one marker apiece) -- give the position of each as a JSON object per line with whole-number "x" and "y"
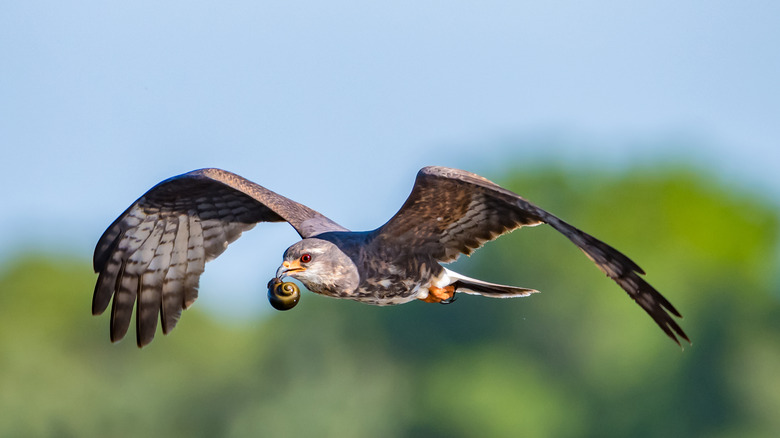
{"x": 321, "y": 266}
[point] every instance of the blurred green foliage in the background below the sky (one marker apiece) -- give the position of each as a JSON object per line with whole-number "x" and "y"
{"x": 579, "y": 359}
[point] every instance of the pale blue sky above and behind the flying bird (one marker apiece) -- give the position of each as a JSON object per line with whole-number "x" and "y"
{"x": 330, "y": 102}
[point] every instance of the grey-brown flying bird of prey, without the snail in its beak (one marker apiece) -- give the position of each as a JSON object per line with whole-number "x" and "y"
{"x": 152, "y": 256}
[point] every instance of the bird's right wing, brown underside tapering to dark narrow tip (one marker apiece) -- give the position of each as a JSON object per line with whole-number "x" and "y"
{"x": 452, "y": 211}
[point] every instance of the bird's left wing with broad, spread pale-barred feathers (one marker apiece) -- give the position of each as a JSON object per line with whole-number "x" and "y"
{"x": 153, "y": 254}
